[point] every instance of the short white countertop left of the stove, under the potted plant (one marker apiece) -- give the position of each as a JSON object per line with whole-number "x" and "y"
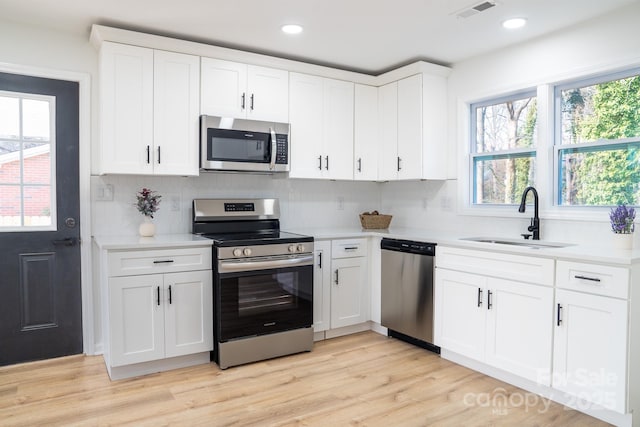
{"x": 158, "y": 241}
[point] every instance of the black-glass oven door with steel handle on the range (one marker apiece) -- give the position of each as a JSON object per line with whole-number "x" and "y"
{"x": 253, "y": 298}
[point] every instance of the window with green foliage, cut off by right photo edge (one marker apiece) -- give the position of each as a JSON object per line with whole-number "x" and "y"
{"x": 598, "y": 141}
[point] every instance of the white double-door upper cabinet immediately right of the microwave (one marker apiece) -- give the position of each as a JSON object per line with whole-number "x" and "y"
{"x": 321, "y": 115}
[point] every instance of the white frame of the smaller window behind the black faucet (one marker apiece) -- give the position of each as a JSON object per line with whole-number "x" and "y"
{"x": 514, "y": 153}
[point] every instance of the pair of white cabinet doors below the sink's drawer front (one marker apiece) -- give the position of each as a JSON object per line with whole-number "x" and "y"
{"x": 502, "y": 323}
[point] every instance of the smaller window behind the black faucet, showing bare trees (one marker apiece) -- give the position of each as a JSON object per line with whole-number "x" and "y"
{"x": 503, "y": 148}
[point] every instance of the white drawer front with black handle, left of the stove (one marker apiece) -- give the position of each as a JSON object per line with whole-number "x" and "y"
{"x": 127, "y": 263}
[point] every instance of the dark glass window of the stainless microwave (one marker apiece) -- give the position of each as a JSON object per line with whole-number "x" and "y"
{"x": 227, "y": 145}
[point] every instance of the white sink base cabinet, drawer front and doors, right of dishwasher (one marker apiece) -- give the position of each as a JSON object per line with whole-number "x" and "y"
{"x": 496, "y": 318}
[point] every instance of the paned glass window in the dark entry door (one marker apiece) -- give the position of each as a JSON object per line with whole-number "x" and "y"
{"x": 26, "y": 167}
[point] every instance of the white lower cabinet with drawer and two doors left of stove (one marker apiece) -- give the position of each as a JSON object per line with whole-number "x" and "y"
{"x": 162, "y": 316}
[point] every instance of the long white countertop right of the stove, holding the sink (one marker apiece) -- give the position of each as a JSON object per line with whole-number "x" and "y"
{"x": 575, "y": 252}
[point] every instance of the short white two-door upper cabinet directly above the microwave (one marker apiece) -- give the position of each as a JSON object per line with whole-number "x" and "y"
{"x": 232, "y": 89}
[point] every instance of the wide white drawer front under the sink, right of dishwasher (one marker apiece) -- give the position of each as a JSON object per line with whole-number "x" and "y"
{"x": 504, "y": 266}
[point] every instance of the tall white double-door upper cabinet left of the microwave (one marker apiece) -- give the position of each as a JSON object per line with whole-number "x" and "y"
{"x": 149, "y": 111}
